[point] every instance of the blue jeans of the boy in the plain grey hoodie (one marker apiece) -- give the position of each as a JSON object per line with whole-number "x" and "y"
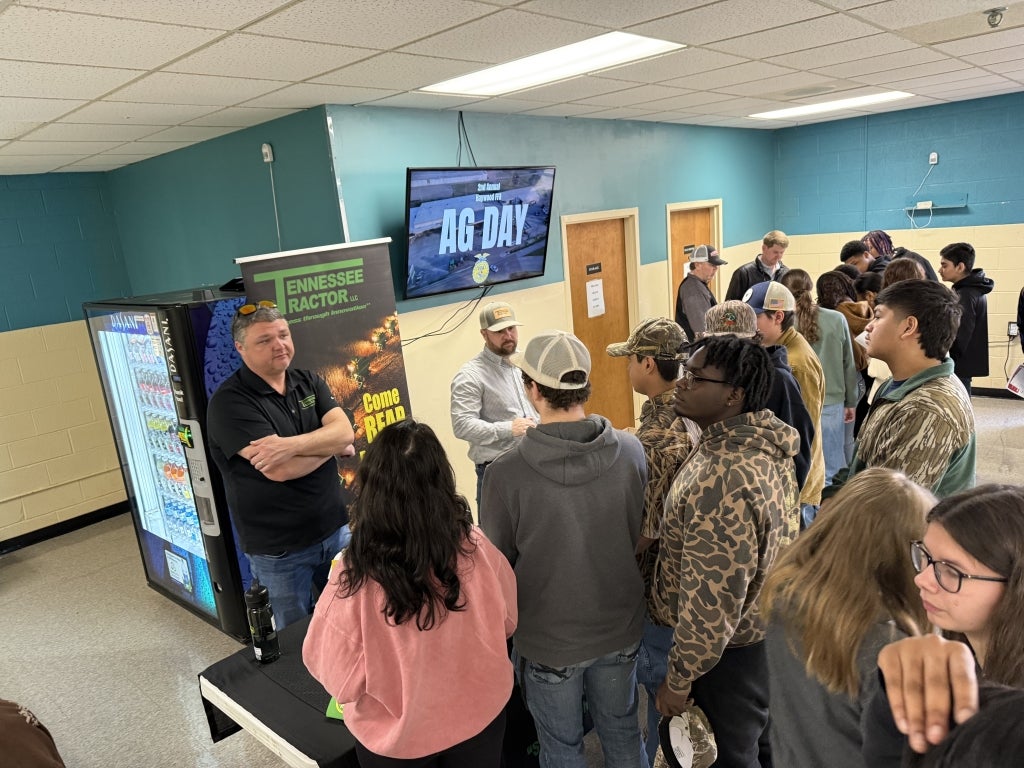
{"x": 554, "y": 697}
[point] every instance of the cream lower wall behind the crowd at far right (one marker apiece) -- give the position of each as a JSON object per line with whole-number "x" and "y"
{"x": 1000, "y": 252}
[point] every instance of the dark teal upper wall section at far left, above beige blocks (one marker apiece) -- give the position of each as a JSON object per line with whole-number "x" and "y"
{"x": 59, "y": 247}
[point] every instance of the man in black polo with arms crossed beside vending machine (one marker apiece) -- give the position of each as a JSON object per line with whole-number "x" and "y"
{"x": 275, "y": 433}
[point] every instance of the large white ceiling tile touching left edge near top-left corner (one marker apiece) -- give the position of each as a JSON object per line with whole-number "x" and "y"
{"x": 41, "y": 35}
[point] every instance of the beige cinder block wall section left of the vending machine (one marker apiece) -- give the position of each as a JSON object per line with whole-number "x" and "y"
{"x": 58, "y": 458}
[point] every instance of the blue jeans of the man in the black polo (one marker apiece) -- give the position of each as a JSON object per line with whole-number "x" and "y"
{"x": 289, "y": 577}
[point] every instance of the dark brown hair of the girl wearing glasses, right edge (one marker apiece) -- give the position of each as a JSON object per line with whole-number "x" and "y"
{"x": 989, "y": 524}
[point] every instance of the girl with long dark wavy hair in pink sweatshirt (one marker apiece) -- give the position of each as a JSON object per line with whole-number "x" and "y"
{"x": 410, "y": 635}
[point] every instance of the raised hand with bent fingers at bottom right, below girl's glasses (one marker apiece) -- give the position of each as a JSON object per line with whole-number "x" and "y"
{"x": 925, "y": 678}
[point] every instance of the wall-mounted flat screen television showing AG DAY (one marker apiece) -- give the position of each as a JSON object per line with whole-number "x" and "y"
{"x": 471, "y": 228}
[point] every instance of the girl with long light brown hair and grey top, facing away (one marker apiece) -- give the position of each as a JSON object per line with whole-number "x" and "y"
{"x": 834, "y": 600}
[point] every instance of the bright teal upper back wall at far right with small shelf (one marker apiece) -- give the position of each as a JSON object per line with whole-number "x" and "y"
{"x": 859, "y": 175}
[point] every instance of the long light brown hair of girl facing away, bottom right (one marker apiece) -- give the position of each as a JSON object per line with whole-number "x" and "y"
{"x": 856, "y": 554}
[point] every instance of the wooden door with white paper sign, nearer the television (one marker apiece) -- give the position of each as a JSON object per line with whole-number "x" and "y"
{"x": 596, "y": 253}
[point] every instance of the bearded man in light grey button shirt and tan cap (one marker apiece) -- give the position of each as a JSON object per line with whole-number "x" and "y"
{"x": 490, "y": 410}
